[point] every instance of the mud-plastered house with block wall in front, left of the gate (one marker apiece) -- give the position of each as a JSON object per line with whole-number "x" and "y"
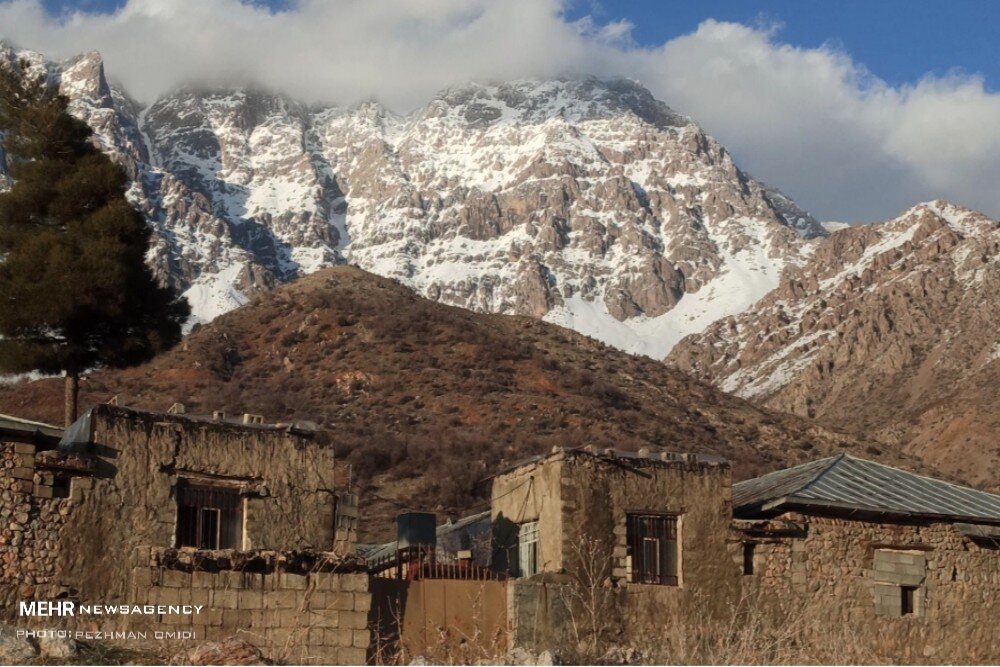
{"x": 138, "y": 507}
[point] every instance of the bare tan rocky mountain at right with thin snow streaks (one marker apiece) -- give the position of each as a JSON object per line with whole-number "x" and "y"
{"x": 889, "y": 330}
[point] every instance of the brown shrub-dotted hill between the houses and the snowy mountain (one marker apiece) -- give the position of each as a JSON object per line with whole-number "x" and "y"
{"x": 425, "y": 399}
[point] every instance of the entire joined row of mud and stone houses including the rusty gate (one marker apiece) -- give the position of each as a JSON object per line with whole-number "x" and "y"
{"x": 580, "y": 549}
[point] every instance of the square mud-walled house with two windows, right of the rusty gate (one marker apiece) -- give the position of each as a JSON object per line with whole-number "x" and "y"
{"x": 616, "y": 544}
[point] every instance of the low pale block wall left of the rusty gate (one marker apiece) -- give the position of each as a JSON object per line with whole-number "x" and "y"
{"x": 316, "y": 614}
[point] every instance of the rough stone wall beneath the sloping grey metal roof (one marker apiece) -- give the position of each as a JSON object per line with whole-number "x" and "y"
{"x": 827, "y": 575}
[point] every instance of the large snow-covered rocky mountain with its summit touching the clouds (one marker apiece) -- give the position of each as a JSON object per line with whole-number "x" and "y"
{"x": 587, "y": 203}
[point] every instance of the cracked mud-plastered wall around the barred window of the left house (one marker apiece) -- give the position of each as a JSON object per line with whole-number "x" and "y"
{"x": 287, "y": 482}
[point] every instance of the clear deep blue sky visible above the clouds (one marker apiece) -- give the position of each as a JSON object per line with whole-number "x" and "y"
{"x": 900, "y": 41}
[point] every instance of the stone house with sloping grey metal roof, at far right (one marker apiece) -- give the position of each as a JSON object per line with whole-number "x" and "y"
{"x": 910, "y": 564}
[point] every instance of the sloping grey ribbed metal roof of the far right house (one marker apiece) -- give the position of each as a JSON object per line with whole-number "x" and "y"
{"x": 849, "y": 484}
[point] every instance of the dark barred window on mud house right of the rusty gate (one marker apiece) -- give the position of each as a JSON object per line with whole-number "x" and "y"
{"x": 652, "y": 544}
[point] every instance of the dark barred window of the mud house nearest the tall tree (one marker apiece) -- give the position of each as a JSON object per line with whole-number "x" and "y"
{"x": 209, "y": 517}
